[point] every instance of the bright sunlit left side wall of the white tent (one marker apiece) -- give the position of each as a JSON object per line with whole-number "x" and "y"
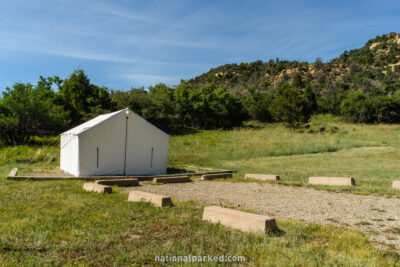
{"x": 69, "y": 154}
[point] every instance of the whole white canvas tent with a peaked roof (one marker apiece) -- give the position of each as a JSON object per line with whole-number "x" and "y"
{"x": 118, "y": 143}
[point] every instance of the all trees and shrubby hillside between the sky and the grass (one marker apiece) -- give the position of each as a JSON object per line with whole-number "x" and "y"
{"x": 362, "y": 85}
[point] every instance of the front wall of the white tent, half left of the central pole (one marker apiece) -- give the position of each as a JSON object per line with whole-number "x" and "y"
{"x": 101, "y": 148}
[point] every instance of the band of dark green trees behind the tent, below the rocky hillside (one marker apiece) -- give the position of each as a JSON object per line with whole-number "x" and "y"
{"x": 54, "y": 105}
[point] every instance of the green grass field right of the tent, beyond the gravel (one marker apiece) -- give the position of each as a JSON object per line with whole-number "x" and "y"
{"x": 369, "y": 153}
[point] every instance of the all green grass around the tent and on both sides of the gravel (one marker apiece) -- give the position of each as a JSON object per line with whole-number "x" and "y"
{"x": 56, "y": 223}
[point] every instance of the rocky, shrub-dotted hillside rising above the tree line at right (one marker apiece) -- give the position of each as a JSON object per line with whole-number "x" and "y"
{"x": 373, "y": 69}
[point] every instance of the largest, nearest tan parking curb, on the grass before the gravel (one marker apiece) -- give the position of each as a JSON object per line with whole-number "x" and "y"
{"x": 244, "y": 221}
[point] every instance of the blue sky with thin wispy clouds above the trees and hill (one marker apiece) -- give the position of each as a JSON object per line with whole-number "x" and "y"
{"x": 124, "y": 44}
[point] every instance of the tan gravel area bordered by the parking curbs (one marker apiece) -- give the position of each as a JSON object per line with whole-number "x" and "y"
{"x": 378, "y": 217}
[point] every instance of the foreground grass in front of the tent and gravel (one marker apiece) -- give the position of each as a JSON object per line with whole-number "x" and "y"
{"x": 57, "y": 223}
